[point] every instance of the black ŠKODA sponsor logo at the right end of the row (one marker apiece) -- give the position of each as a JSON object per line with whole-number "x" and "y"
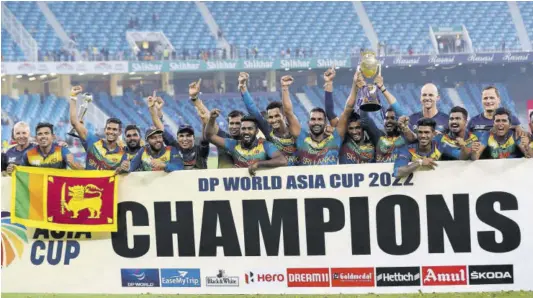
{"x": 491, "y": 274}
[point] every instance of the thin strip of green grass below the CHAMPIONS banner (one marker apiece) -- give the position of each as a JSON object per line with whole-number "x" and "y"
{"x": 509, "y": 294}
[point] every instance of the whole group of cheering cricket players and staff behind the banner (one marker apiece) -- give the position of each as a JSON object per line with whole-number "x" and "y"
{"x": 412, "y": 143}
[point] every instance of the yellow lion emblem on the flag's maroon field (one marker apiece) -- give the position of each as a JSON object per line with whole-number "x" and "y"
{"x": 82, "y": 197}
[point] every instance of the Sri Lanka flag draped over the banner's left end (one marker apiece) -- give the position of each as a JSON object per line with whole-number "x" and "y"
{"x": 64, "y": 200}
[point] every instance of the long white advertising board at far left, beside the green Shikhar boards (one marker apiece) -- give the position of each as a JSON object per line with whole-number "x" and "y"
{"x": 96, "y": 67}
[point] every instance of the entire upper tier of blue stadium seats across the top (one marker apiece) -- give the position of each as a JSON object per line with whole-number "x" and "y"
{"x": 331, "y": 29}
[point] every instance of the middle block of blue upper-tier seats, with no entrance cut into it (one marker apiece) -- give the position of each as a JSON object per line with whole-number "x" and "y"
{"x": 332, "y": 29}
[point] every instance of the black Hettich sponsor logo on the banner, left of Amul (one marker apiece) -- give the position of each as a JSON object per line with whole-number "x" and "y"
{"x": 397, "y": 276}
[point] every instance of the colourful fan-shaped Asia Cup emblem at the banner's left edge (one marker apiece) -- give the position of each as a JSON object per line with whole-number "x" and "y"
{"x": 13, "y": 240}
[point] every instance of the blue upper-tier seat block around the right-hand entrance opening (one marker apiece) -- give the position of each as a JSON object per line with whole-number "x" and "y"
{"x": 401, "y": 24}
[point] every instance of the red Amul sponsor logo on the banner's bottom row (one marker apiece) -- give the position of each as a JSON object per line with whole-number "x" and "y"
{"x": 443, "y": 275}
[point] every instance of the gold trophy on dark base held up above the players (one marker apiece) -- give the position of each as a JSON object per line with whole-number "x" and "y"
{"x": 368, "y": 99}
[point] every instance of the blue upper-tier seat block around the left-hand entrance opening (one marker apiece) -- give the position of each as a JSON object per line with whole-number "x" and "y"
{"x": 104, "y": 24}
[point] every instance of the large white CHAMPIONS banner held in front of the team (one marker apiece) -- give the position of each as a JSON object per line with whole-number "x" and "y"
{"x": 465, "y": 227}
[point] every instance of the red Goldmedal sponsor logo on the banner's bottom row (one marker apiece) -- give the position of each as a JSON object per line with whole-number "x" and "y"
{"x": 352, "y": 277}
